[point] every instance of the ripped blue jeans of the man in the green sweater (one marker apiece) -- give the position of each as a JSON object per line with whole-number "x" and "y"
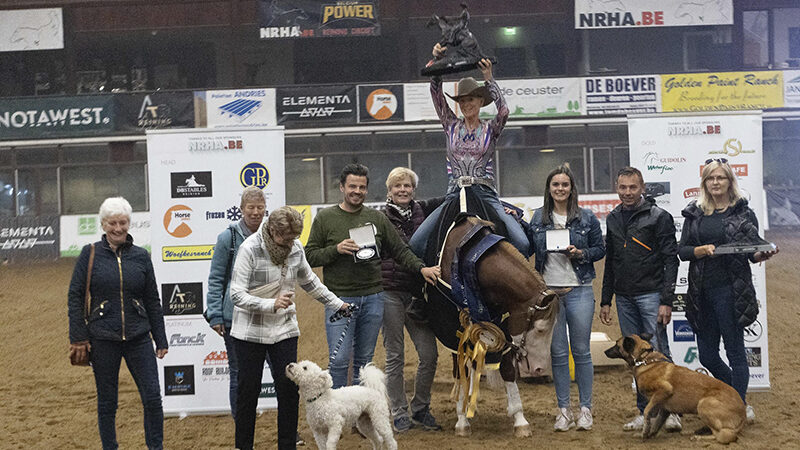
{"x": 354, "y": 337}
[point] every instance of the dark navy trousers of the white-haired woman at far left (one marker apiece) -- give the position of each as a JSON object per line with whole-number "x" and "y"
{"x": 141, "y": 361}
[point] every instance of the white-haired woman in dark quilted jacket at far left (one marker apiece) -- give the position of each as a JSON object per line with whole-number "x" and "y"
{"x": 124, "y": 312}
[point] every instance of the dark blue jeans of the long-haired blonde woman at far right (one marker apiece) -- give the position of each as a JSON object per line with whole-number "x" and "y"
{"x": 719, "y": 320}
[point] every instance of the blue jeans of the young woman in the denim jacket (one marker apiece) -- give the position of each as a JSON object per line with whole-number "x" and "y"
{"x": 577, "y": 311}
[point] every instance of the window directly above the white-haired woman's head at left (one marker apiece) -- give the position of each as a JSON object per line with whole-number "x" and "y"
{"x": 85, "y": 188}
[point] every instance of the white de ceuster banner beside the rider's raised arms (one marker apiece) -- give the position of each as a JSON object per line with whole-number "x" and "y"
{"x": 541, "y": 97}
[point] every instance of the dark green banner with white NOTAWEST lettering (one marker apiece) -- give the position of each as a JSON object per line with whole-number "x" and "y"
{"x": 38, "y": 118}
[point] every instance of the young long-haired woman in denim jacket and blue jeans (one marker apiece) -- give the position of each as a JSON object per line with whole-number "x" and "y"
{"x": 572, "y": 269}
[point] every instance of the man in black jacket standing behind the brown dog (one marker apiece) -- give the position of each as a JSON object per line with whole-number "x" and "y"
{"x": 641, "y": 268}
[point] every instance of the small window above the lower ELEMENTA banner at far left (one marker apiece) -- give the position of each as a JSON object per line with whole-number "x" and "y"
{"x": 37, "y": 192}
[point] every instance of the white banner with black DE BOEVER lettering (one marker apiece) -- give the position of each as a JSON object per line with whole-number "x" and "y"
{"x": 622, "y": 95}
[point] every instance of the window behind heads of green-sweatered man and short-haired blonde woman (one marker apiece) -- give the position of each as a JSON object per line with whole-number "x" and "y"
{"x": 379, "y": 164}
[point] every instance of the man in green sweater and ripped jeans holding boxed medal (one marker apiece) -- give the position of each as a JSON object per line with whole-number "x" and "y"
{"x": 357, "y": 283}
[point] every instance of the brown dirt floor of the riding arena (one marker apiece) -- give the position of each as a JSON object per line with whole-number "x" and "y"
{"x": 50, "y": 405}
